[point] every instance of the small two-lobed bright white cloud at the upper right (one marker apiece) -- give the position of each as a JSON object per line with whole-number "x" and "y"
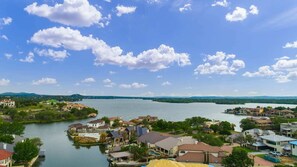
{"x": 240, "y": 14}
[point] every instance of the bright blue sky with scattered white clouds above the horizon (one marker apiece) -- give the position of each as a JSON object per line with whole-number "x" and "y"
{"x": 149, "y": 47}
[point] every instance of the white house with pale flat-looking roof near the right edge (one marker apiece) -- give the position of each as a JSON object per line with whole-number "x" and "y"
{"x": 277, "y": 142}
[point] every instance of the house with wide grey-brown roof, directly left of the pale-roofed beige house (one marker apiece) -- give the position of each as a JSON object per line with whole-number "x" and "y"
{"x": 151, "y": 138}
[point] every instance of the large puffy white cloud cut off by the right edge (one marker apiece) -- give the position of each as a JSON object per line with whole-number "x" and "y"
{"x": 284, "y": 70}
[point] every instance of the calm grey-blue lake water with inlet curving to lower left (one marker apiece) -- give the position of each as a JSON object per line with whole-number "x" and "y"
{"x": 61, "y": 153}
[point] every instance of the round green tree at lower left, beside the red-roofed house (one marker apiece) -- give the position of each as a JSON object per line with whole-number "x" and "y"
{"x": 25, "y": 151}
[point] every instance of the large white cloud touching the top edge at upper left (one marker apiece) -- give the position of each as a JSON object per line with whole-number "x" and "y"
{"x": 72, "y": 13}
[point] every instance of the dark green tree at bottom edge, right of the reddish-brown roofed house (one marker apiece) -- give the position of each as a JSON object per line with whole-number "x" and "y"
{"x": 238, "y": 158}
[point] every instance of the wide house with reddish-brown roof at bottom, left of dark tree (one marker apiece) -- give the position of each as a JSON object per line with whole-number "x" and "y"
{"x": 200, "y": 153}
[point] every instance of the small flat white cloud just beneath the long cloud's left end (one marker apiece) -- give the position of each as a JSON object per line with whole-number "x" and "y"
{"x": 55, "y": 55}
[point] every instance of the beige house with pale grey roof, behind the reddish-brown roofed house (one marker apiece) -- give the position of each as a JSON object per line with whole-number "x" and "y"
{"x": 169, "y": 145}
